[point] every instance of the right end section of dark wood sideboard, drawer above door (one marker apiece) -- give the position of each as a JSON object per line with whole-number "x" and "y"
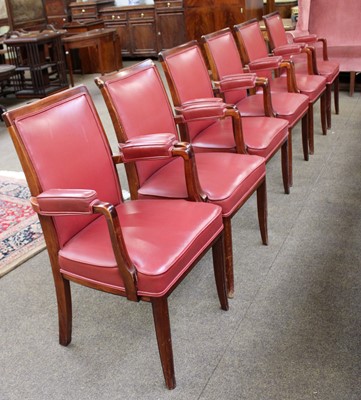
{"x": 169, "y": 23}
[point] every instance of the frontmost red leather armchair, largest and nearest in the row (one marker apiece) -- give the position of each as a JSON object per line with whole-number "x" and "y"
{"x": 140, "y": 250}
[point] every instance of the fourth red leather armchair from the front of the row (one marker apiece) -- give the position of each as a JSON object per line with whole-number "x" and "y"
{"x": 226, "y": 65}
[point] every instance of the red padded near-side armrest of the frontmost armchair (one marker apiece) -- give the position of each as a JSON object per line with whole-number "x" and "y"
{"x": 55, "y": 202}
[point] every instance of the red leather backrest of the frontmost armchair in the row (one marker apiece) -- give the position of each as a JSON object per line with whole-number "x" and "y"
{"x": 68, "y": 149}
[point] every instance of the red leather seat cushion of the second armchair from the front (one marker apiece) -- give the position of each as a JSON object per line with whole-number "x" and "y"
{"x": 226, "y": 178}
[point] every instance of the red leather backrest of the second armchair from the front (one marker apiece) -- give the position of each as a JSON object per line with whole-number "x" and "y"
{"x": 143, "y": 108}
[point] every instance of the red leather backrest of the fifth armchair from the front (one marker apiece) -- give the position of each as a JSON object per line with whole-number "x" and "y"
{"x": 254, "y": 44}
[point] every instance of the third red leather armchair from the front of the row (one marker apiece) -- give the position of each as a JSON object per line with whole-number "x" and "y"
{"x": 188, "y": 79}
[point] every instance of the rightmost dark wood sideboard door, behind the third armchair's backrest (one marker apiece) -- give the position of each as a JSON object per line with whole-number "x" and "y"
{"x": 170, "y": 29}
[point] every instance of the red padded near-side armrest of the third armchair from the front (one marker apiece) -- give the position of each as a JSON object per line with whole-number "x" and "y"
{"x": 202, "y": 109}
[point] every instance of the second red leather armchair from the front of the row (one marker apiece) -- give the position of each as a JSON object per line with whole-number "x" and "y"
{"x": 141, "y": 113}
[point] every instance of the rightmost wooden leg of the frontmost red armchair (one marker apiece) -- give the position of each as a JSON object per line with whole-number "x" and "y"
{"x": 219, "y": 271}
